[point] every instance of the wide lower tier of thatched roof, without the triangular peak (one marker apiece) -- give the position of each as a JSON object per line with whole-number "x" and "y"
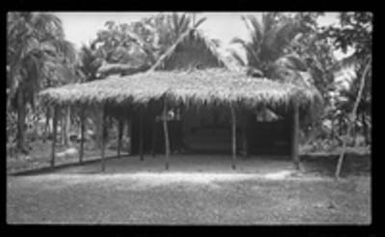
{"x": 197, "y": 86}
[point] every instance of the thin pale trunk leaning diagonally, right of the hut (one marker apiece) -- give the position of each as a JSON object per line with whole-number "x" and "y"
{"x": 352, "y": 118}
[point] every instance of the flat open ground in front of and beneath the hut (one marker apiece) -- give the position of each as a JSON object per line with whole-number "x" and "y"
{"x": 195, "y": 190}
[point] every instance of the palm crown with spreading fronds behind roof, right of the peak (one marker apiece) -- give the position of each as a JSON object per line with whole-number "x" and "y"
{"x": 266, "y": 52}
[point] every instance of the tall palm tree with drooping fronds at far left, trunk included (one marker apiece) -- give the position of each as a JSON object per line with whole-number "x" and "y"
{"x": 33, "y": 40}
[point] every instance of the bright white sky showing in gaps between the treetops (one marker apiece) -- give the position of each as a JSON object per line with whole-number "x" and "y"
{"x": 81, "y": 27}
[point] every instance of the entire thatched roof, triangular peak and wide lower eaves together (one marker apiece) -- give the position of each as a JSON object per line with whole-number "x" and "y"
{"x": 190, "y": 72}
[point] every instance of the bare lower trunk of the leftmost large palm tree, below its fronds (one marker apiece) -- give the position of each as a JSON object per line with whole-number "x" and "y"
{"x": 21, "y": 113}
